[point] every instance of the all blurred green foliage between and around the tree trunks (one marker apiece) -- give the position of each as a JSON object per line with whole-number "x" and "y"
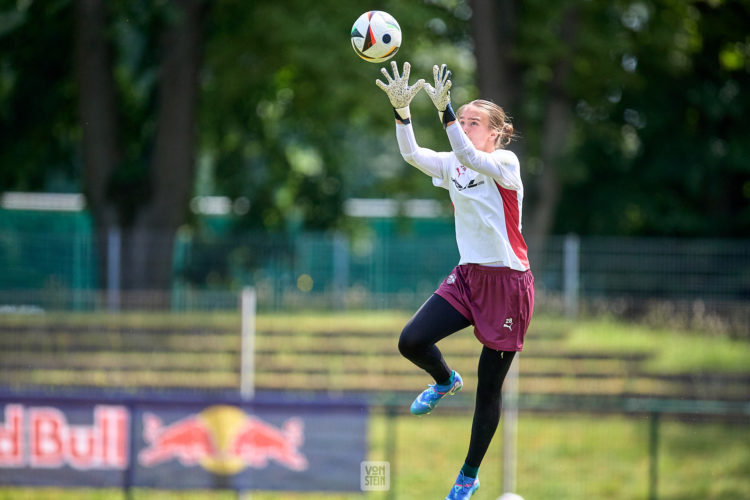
{"x": 290, "y": 120}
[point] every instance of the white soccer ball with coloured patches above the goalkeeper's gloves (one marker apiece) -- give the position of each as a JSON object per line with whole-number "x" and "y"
{"x": 376, "y": 36}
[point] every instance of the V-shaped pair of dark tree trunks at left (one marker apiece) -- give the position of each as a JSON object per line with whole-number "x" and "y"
{"x": 147, "y": 246}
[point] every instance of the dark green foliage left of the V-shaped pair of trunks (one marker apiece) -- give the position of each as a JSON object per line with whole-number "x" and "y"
{"x": 38, "y": 127}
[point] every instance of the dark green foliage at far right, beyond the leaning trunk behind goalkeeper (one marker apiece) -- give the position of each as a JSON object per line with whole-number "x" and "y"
{"x": 663, "y": 150}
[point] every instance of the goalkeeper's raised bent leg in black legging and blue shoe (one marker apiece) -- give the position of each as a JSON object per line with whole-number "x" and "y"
{"x": 434, "y": 321}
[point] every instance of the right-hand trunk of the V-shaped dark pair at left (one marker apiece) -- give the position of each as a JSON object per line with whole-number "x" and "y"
{"x": 150, "y": 244}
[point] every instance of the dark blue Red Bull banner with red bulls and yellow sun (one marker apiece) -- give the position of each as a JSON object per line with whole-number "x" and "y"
{"x": 179, "y": 444}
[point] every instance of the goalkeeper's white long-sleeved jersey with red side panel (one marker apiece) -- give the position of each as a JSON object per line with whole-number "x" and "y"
{"x": 486, "y": 192}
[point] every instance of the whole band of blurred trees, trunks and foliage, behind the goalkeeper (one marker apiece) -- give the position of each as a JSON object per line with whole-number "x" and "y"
{"x": 630, "y": 112}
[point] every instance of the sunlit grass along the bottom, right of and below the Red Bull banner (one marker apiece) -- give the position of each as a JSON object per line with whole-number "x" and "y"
{"x": 561, "y": 457}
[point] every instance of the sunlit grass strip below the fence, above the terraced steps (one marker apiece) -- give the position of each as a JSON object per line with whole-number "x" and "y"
{"x": 669, "y": 350}
